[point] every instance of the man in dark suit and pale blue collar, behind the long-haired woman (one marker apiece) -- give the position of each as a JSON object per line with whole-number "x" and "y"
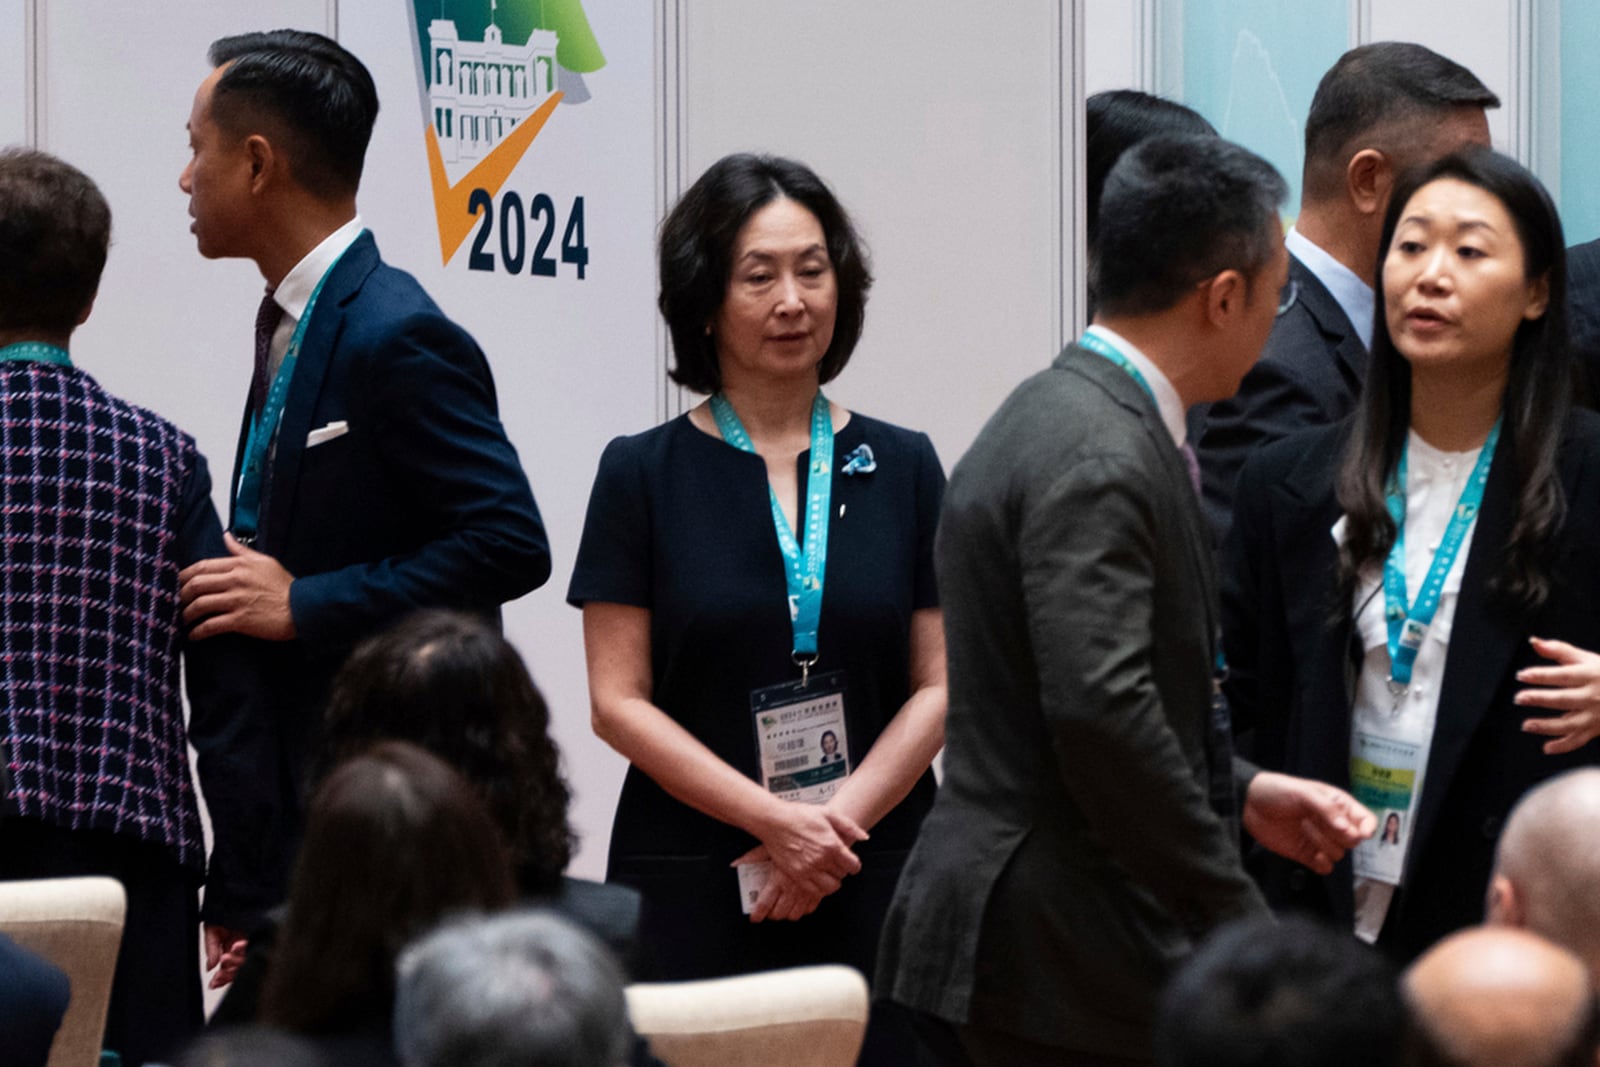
{"x": 1377, "y": 113}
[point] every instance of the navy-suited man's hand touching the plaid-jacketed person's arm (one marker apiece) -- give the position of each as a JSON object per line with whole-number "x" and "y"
{"x": 242, "y": 593}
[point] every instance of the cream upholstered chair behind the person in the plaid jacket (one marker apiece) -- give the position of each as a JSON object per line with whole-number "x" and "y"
{"x": 76, "y": 924}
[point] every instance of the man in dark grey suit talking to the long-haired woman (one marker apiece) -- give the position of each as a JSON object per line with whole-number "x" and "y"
{"x": 1086, "y": 834}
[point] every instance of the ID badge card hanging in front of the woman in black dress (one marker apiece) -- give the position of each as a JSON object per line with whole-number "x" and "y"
{"x": 802, "y": 740}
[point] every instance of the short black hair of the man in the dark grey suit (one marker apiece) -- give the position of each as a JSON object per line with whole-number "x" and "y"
{"x": 1178, "y": 210}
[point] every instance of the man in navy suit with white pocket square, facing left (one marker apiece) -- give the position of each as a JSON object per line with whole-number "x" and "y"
{"x": 374, "y": 476}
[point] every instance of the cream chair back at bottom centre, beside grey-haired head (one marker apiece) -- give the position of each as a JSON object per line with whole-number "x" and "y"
{"x": 810, "y": 1017}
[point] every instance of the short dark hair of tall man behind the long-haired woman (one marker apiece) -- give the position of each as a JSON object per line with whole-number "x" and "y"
{"x": 1374, "y": 94}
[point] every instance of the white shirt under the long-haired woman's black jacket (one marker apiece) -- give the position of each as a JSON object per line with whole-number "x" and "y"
{"x": 1434, "y": 484}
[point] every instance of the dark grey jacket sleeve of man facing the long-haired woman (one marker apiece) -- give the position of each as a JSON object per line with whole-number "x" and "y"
{"x": 1090, "y": 594}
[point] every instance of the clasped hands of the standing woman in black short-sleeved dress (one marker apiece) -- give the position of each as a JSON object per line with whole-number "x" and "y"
{"x": 810, "y": 850}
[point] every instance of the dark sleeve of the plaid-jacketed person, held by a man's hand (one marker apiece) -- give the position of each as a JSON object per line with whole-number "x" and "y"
{"x": 236, "y": 746}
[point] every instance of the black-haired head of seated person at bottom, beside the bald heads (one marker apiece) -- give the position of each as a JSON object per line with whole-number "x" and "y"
{"x": 1263, "y": 994}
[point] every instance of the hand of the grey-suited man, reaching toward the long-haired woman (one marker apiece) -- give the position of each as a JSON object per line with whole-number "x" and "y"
{"x": 1311, "y": 823}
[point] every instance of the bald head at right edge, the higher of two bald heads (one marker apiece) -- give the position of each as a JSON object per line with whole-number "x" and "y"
{"x": 1548, "y": 868}
